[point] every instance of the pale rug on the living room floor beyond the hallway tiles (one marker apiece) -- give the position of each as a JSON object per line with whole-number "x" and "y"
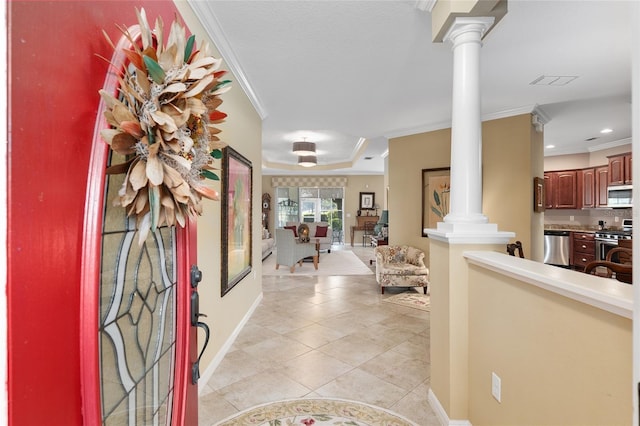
{"x": 338, "y": 262}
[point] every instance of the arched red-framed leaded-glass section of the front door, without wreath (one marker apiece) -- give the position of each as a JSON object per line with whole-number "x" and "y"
{"x": 138, "y": 296}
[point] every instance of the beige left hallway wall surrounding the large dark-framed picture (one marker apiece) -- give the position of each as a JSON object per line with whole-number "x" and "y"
{"x": 243, "y": 131}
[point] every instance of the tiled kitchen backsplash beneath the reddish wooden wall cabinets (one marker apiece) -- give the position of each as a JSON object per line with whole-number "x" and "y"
{"x": 587, "y": 218}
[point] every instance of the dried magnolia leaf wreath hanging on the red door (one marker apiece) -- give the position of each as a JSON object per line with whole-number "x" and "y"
{"x": 163, "y": 121}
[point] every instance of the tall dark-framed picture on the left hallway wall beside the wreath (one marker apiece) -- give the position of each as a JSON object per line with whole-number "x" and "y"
{"x": 237, "y": 192}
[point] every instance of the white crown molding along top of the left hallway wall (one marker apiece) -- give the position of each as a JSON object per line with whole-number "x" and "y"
{"x": 208, "y": 19}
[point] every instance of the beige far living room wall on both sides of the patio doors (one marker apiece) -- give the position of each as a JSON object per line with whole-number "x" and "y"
{"x": 355, "y": 185}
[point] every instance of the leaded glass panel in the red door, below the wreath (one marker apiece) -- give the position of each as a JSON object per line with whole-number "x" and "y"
{"x": 137, "y": 327}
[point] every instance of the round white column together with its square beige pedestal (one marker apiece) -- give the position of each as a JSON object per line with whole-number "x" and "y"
{"x": 464, "y": 228}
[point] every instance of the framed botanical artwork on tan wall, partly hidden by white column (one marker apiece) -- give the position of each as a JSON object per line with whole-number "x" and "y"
{"x": 436, "y": 189}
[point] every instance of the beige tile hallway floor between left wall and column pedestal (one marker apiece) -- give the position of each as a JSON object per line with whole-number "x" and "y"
{"x": 326, "y": 336}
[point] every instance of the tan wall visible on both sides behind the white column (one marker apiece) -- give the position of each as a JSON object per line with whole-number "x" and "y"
{"x": 512, "y": 156}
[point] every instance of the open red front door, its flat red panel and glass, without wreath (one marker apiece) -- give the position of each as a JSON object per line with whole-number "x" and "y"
{"x": 56, "y": 250}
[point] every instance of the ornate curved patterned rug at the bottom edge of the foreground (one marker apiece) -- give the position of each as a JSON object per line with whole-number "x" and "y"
{"x": 316, "y": 412}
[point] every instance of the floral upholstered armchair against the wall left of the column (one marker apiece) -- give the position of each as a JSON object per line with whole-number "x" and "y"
{"x": 400, "y": 266}
